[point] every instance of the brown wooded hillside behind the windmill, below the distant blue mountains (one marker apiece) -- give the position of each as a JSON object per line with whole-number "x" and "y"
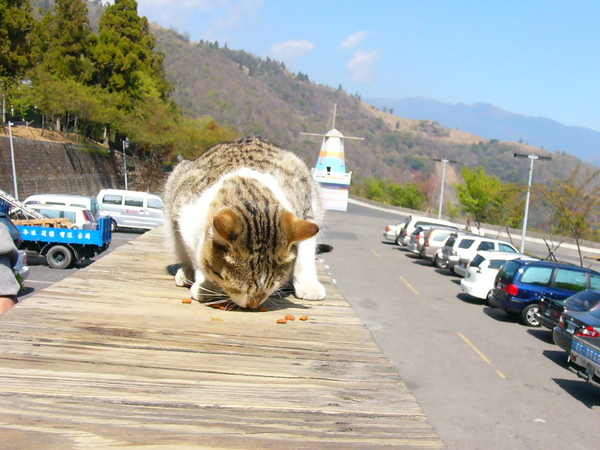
{"x": 261, "y": 97}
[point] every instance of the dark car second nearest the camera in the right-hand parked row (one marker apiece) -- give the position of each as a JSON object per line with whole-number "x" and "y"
{"x": 585, "y": 324}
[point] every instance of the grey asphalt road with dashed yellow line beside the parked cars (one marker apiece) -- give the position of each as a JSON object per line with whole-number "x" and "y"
{"x": 484, "y": 380}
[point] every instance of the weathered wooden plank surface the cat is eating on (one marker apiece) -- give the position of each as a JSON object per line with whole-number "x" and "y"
{"x": 111, "y": 357}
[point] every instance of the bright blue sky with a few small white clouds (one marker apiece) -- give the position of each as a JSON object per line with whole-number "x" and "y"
{"x": 531, "y": 57}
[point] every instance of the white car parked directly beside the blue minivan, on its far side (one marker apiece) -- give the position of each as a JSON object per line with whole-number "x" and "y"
{"x": 481, "y": 273}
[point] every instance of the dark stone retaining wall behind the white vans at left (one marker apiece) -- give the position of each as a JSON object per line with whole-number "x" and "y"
{"x": 49, "y": 167}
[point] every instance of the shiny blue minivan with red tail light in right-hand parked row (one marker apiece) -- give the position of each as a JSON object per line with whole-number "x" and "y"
{"x": 521, "y": 284}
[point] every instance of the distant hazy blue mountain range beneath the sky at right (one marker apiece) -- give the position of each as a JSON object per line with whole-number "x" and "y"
{"x": 491, "y": 122}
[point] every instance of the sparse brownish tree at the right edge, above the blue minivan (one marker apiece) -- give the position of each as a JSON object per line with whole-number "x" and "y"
{"x": 575, "y": 203}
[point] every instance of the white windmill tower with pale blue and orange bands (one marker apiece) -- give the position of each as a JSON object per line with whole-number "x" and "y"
{"x": 330, "y": 171}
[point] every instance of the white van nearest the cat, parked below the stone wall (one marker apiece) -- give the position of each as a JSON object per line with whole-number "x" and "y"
{"x": 131, "y": 209}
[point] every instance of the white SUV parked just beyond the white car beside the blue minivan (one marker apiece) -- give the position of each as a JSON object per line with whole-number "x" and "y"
{"x": 466, "y": 246}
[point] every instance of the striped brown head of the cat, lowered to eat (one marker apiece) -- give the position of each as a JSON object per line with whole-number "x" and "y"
{"x": 251, "y": 257}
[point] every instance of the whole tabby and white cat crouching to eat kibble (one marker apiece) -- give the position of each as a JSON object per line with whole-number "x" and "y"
{"x": 243, "y": 218}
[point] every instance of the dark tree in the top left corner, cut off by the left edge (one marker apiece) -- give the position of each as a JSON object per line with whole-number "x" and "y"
{"x": 16, "y": 22}
